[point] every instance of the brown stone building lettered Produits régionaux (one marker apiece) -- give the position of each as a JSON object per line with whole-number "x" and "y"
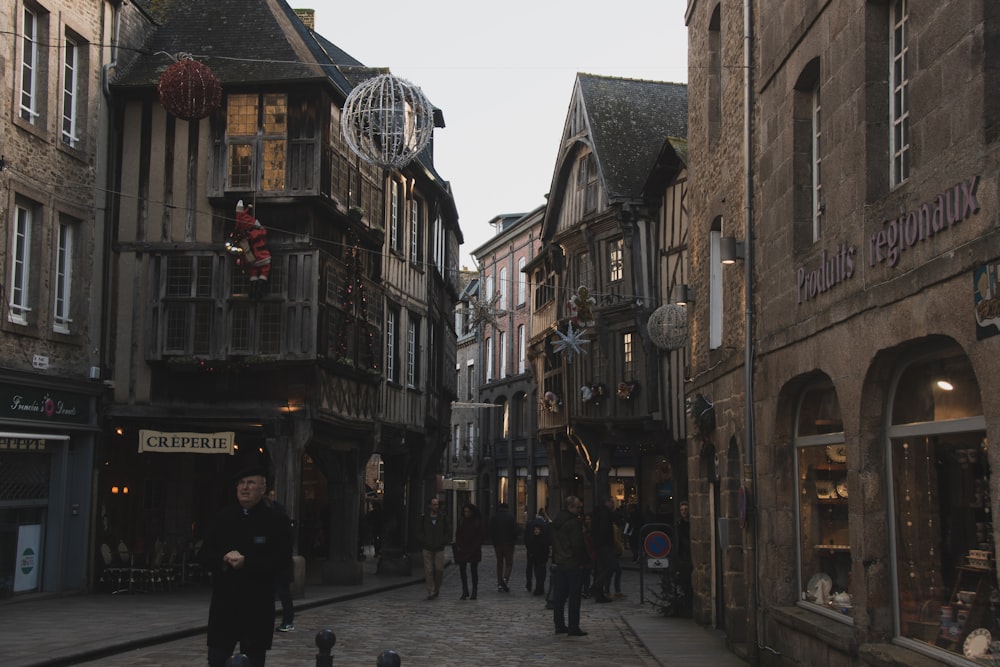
{"x": 847, "y": 162}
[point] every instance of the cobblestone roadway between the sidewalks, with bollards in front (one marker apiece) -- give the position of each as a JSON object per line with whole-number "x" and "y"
{"x": 498, "y": 629}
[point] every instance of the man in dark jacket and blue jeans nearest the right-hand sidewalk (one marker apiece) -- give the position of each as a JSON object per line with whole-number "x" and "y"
{"x": 569, "y": 556}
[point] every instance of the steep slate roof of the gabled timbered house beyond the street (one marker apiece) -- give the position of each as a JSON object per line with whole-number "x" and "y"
{"x": 630, "y": 120}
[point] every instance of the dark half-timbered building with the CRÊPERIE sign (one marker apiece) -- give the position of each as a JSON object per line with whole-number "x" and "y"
{"x": 347, "y": 350}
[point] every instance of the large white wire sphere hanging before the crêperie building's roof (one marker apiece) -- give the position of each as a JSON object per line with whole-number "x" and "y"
{"x": 387, "y": 121}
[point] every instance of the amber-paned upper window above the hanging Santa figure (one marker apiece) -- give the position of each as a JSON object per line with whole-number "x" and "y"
{"x": 257, "y": 133}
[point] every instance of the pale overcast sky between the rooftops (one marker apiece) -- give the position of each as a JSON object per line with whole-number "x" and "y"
{"x": 502, "y": 74}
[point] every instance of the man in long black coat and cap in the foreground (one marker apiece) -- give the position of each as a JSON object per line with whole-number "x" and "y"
{"x": 248, "y": 547}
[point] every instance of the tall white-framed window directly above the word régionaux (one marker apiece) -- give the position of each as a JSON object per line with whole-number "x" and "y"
{"x": 899, "y": 93}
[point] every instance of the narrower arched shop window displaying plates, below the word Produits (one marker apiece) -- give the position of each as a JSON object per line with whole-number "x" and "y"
{"x": 823, "y": 539}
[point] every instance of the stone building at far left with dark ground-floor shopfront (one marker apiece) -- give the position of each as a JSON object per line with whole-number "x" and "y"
{"x": 53, "y": 114}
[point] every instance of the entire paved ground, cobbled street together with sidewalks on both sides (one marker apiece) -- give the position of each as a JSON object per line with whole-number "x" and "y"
{"x": 385, "y": 613}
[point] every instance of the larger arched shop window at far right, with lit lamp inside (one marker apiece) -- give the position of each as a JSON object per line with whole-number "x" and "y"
{"x": 945, "y": 582}
